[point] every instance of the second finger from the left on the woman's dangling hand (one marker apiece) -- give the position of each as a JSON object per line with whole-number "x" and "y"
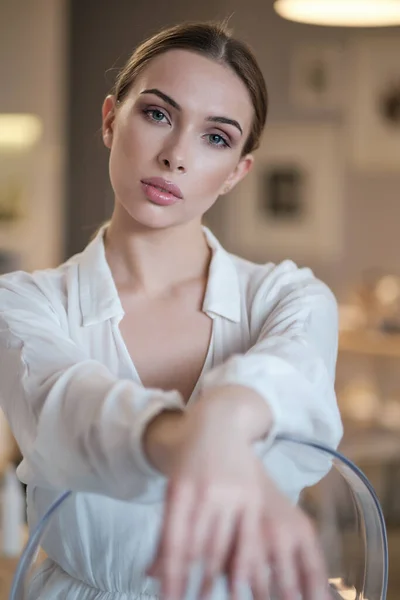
{"x": 217, "y": 549}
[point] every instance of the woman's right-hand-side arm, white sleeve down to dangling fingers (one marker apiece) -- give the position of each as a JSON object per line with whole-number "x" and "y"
{"x": 220, "y": 502}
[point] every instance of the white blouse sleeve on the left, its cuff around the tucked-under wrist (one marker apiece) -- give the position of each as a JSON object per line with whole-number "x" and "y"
{"x": 78, "y": 426}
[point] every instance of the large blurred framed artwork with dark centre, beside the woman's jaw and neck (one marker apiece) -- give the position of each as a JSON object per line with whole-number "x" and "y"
{"x": 290, "y": 204}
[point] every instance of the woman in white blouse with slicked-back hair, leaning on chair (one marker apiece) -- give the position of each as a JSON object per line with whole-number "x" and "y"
{"x": 152, "y": 372}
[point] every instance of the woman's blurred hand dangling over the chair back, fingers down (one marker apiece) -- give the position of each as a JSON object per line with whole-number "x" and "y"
{"x": 223, "y": 511}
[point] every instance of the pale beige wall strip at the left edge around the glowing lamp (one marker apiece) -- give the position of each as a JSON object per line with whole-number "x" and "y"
{"x": 32, "y": 80}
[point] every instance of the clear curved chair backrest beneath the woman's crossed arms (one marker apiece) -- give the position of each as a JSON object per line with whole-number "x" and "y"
{"x": 346, "y": 513}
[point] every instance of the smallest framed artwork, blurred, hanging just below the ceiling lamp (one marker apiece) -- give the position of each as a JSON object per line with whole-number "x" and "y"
{"x": 317, "y": 79}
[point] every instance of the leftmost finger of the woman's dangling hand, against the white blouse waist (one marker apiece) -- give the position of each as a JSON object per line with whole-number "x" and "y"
{"x": 170, "y": 561}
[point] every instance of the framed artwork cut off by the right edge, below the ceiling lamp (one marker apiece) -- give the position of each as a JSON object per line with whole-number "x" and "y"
{"x": 374, "y": 105}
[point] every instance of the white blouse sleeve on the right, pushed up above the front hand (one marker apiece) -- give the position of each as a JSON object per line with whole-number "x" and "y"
{"x": 291, "y": 364}
